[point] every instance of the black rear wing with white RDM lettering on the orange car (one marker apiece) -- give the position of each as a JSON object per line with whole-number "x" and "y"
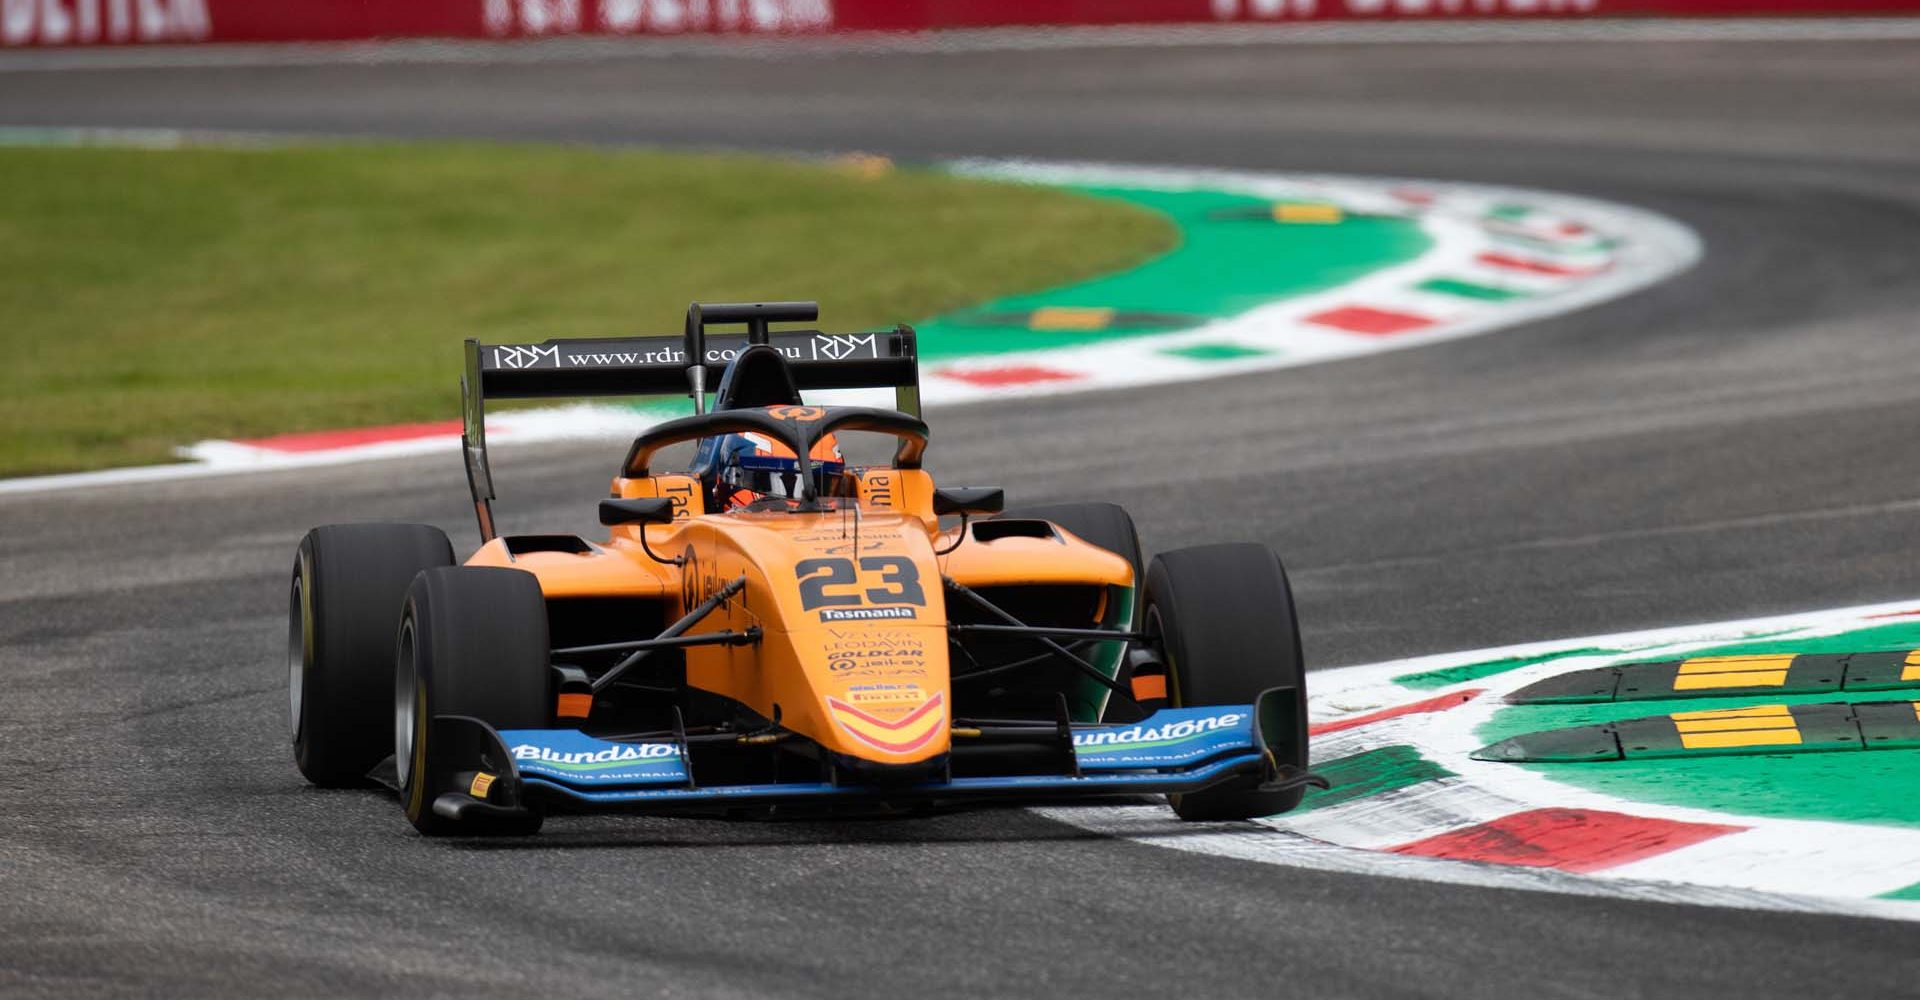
{"x": 660, "y": 366}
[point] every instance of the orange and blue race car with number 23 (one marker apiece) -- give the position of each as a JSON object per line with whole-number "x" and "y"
{"x": 779, "y": 631}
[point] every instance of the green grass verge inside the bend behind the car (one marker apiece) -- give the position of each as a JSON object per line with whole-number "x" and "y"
{"x": 151, "y": 298}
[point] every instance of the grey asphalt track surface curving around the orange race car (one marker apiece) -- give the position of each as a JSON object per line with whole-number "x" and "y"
{"x": 1731, "y": 444}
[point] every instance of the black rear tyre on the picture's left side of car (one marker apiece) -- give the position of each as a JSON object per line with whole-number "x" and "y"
{"x": 345, "y": 606}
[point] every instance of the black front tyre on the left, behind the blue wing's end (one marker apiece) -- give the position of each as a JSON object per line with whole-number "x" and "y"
{"x": 473, "y": 642}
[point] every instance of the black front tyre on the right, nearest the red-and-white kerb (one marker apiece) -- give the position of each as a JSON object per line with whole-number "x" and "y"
{"x": 1222, "y": 621}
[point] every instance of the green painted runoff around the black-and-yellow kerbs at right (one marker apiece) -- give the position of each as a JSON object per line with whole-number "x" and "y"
{"x": 1852, "y": 786}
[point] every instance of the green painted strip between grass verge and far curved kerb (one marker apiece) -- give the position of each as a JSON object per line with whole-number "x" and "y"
{"x": 1222, "y": 268}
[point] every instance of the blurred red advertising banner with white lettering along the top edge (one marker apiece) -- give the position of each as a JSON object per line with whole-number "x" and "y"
{"x": 141, "y": 22}
